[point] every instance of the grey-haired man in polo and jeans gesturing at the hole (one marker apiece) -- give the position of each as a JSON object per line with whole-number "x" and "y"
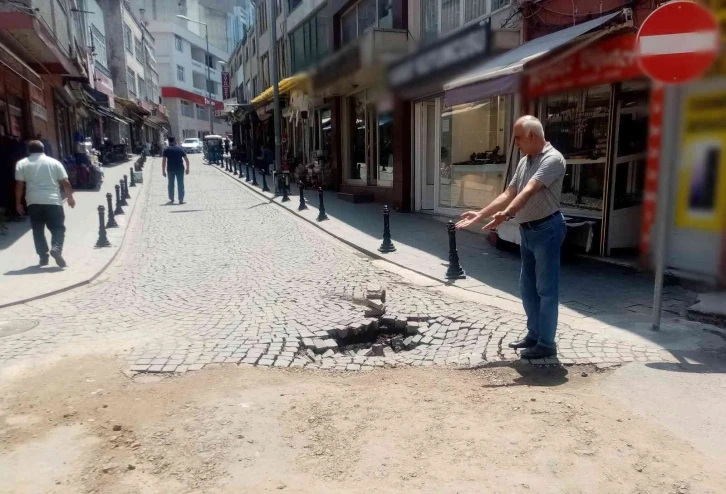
{"x": 533, "y": 200}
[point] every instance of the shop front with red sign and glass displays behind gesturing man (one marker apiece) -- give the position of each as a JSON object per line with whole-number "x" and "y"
{"x": 595, "y": 105}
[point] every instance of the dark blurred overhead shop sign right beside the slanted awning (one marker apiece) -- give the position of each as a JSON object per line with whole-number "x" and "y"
{"x": 444, "y": 55}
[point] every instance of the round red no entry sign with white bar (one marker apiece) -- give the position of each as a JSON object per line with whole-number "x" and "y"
{"x": 678, "y": 42}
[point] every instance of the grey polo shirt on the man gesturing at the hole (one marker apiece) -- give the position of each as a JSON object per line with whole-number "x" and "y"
{"x": 548, "y": 167}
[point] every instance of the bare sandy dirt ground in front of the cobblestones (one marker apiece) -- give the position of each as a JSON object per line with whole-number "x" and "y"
{"x": 81, "y": 425}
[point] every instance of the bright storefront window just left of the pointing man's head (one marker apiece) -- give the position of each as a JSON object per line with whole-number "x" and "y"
{"x": 474, "y": 138}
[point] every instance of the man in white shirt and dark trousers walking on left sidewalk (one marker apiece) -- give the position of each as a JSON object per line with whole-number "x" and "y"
{"x": 41, "y": 177}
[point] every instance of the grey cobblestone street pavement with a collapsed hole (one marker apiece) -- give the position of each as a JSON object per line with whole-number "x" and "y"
{"x": 230, "y": 278}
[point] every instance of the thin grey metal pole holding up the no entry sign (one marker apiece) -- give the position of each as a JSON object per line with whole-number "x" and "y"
{"x": 664, "y": 212}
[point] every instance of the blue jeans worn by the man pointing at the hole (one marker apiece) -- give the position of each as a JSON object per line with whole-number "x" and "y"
{"x": 539, "y": 280}
